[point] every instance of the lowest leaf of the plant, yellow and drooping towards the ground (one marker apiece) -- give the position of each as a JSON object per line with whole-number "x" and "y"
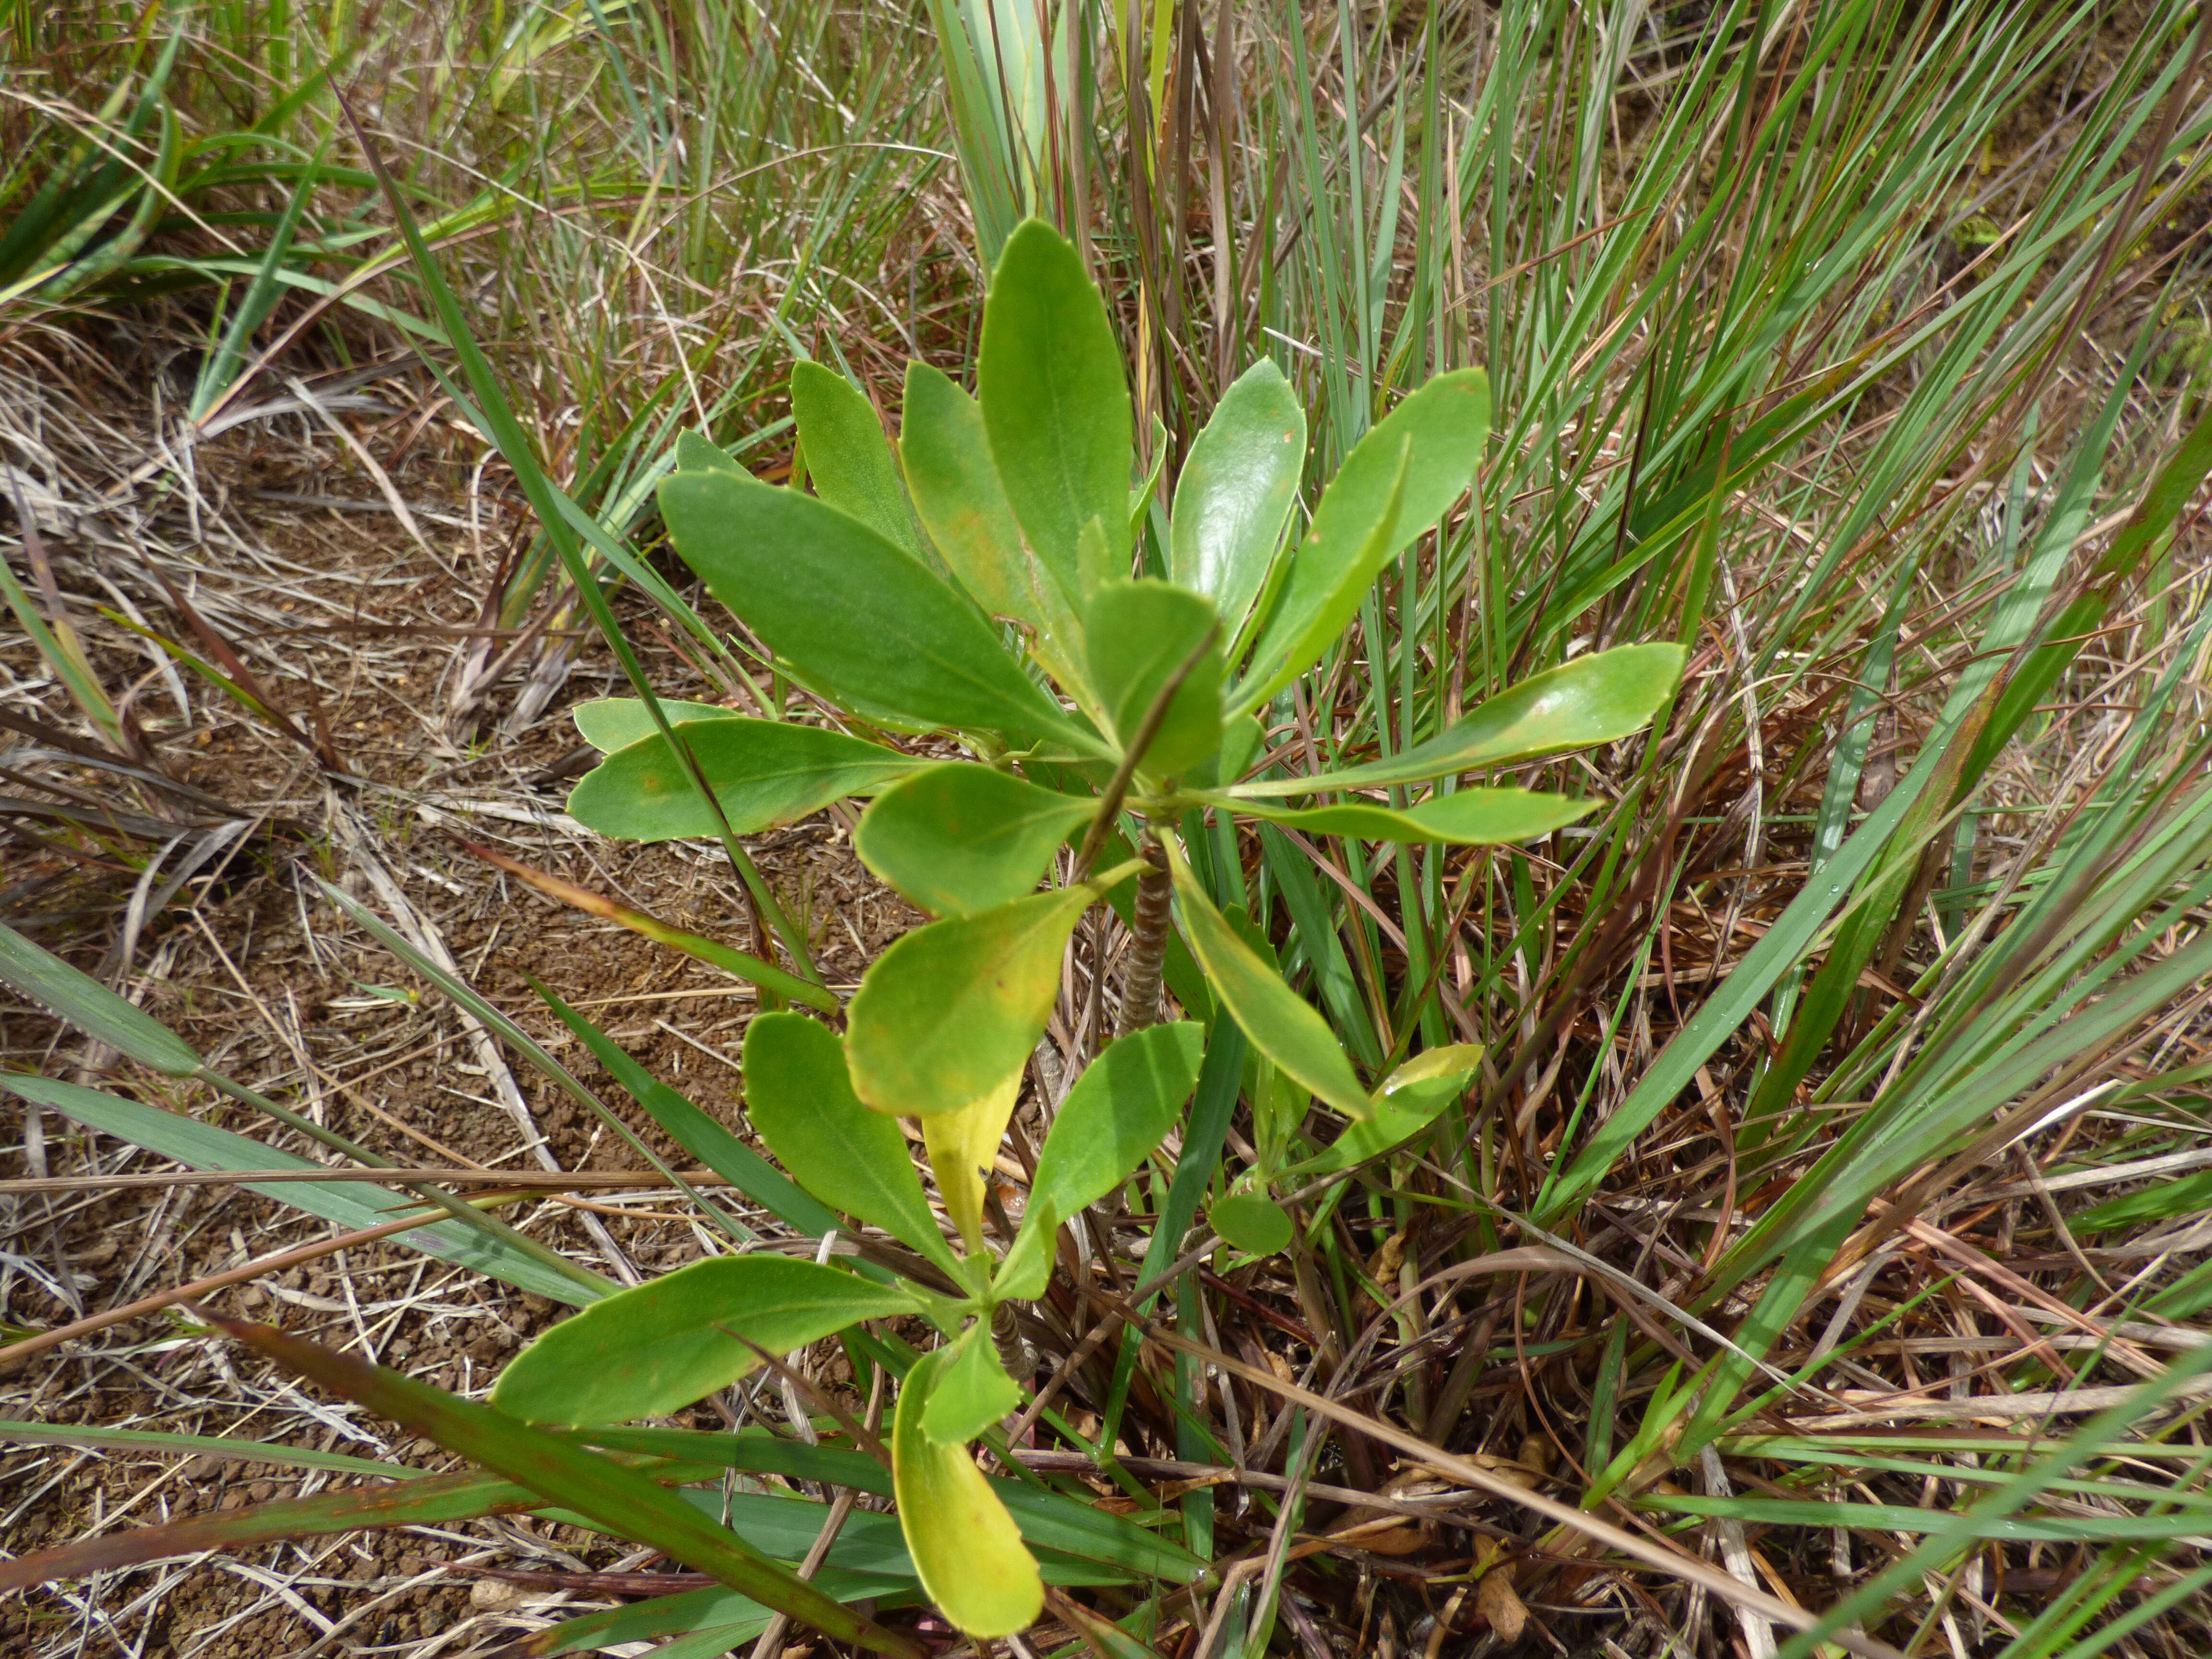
{"x": 963, "y": 1541}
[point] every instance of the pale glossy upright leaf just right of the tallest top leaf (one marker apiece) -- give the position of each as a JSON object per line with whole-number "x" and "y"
{"x": 1238, "y": 490}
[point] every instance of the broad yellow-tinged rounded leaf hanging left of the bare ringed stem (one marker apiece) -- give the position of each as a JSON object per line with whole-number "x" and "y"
{"x": 952, "y": 1010}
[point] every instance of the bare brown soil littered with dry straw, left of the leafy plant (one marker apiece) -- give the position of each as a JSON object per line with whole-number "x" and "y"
{"x": 348, "y": 625}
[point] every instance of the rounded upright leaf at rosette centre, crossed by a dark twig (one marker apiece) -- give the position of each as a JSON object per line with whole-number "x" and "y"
{"x": 1138, "y": 634}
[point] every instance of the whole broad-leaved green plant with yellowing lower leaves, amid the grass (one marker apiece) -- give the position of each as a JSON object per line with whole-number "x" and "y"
{"x": 983, "y": 583}
